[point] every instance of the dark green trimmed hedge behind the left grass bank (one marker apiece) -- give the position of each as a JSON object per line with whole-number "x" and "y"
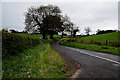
{"x": 12, "y": 43}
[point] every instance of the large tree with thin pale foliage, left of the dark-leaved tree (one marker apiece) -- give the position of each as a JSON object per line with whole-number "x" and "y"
{"x": 35, "y": 19}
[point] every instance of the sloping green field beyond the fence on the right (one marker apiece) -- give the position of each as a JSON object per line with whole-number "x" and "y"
{"x": 111, "y": 38}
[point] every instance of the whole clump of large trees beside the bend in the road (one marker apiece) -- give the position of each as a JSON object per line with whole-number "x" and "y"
{"x": 48, "y": 20}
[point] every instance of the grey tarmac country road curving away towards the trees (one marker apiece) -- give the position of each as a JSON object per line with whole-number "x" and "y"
{"x": 92, "y": 64}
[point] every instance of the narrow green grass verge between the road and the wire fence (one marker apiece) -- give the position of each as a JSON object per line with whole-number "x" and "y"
{"x": 108, "y": 49}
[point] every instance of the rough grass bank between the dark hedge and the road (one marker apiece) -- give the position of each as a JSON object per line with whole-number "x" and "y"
{"x": 40, "y": 61}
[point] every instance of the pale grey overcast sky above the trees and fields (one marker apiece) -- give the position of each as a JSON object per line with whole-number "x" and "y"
{"x": 96, "y": 15}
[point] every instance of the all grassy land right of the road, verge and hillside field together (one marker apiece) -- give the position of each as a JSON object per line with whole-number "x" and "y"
{"x": 85, "y": 43}
